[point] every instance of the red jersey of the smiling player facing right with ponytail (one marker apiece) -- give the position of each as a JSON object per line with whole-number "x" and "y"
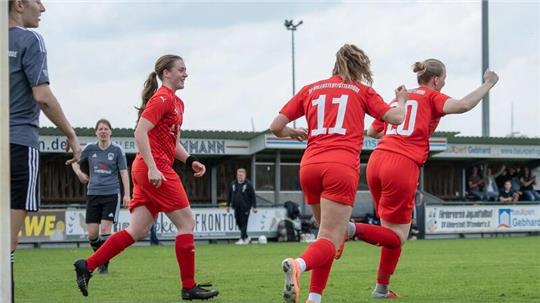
{"x": 165, "y": 110}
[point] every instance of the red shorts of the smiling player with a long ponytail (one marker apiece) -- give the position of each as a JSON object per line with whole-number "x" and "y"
{"x": 169, "y": 197}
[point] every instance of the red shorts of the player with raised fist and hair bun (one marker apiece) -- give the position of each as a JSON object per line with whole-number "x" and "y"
{"x": 392, "y": 179}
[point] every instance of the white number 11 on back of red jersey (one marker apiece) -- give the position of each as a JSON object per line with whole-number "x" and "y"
{"x": 338, "y": 128}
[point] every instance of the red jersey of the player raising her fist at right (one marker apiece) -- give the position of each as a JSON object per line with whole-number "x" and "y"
{"x": 424, "y": 109}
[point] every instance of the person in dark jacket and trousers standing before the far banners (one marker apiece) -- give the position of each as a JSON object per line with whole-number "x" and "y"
{"x": 242, "y": 199}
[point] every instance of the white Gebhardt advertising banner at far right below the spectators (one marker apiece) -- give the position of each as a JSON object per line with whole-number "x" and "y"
{"x": 482, "y": 219}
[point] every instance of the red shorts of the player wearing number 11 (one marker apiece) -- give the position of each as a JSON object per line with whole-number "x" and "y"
{"x": 332, "y": 181}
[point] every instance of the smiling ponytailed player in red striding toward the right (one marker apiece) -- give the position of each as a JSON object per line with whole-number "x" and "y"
{"x": 156, "y": 186}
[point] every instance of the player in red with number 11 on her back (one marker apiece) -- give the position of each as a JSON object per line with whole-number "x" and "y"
{"x": 329, "y": 170}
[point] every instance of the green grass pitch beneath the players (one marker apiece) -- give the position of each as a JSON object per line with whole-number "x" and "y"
{"x": 466, "y": 270}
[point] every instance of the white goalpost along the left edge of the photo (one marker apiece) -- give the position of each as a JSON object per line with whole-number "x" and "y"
{"x": 5, "y": 205}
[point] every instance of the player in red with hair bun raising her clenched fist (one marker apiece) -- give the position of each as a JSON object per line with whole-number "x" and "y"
{"x": 404, "y": 148}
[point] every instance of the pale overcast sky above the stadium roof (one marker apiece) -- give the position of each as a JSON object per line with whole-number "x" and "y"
{"x": 238, "y": 55}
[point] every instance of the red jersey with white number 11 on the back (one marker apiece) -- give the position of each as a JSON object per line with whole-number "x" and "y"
{"x": 335, "y": 113}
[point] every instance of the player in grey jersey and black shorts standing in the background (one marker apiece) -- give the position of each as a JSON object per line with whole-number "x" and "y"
{"x": 103, "y": 160}
